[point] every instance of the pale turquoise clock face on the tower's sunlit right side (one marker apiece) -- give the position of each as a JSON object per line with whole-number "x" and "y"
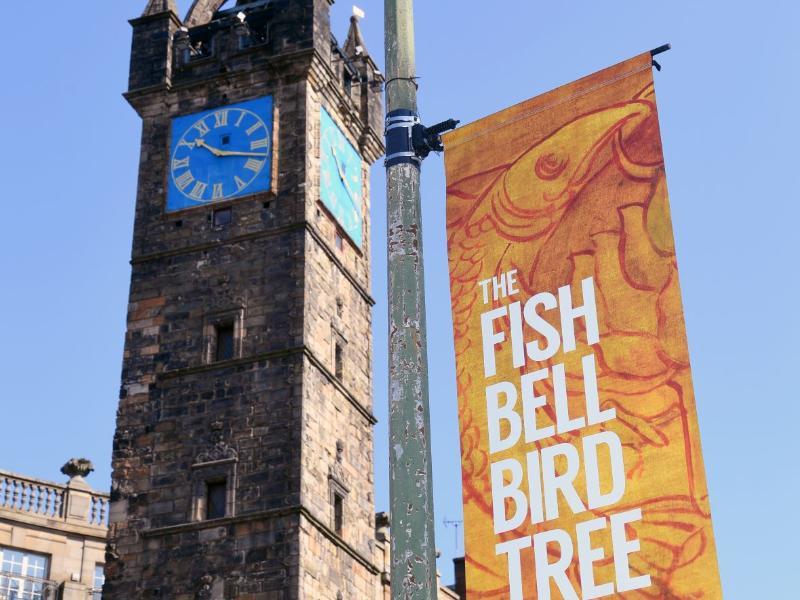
{"x": 340, "y": 178}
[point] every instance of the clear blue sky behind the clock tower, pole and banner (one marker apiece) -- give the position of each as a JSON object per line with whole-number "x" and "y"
{"x": 728, "y": 103}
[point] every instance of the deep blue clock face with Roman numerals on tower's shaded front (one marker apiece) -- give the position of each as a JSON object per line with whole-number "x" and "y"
{"x": 220, "y": 154}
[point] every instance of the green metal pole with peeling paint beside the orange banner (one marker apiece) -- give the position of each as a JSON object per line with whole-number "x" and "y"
{"x": 413, "y": 552}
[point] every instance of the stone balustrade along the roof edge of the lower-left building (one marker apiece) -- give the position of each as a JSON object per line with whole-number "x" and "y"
{"x": 49, "y": 500}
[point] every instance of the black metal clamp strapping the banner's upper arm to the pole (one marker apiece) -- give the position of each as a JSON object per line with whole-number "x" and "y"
{"x": 409, "y": 141}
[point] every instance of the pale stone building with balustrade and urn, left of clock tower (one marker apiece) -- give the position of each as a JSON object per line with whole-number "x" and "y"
{"x": 52, "y": 536}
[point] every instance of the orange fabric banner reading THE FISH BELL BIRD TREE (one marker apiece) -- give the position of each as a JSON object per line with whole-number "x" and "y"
{"x": 581, "y": 463}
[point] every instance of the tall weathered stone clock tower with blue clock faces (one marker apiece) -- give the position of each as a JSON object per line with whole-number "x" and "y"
{"x": 243, "y": 454}
